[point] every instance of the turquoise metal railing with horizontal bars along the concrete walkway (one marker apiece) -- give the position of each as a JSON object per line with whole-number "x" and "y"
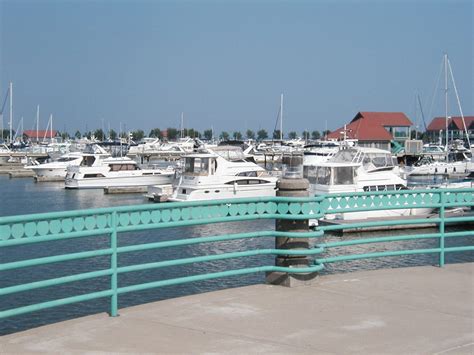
{"x": 49, "y": 227}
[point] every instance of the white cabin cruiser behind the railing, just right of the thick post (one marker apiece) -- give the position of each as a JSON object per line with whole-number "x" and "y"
{"x": 357, "y": 170}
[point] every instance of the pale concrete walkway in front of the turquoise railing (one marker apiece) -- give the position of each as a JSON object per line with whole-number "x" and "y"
{"x": 413, "y": 310}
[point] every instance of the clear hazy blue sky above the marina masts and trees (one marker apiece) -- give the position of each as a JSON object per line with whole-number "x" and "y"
{"x": 224, "y": 64}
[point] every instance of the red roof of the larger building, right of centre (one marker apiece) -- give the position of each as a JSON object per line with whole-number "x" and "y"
{"x": 369, "y": 126}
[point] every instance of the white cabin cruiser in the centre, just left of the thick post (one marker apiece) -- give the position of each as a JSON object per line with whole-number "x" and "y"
{"x": 209, "y": 176}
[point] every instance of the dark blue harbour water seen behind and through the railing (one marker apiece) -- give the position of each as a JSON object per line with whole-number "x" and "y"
{"x": 23, "y": 196}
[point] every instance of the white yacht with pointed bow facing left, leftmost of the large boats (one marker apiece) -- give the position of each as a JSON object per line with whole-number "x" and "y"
{"x": 93, "y": 155}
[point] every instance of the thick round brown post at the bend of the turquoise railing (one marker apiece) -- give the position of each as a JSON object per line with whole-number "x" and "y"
{"x": 292, "y": 184}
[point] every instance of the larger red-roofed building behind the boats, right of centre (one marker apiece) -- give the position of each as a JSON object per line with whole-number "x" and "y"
{"x": 375, "y": 129}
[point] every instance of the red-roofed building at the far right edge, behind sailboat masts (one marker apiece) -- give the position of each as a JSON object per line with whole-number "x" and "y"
{"x": 437, "y": 128}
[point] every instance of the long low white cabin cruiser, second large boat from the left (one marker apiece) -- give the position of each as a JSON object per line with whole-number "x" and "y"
{"x": 115, "y": 172}
